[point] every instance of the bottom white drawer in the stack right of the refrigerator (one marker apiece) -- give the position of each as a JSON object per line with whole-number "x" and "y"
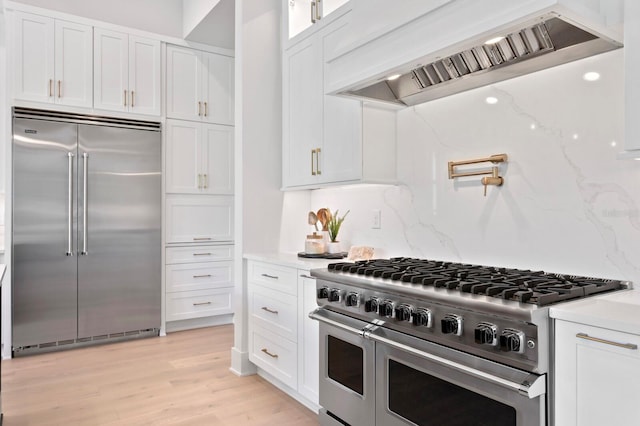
{"x": 199, "y": 303}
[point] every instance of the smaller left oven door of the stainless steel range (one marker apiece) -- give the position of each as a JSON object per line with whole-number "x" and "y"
{"x": 347, "y": 370}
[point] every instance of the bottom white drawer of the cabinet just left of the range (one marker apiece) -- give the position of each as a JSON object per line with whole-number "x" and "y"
{"x": 275, "y": 355}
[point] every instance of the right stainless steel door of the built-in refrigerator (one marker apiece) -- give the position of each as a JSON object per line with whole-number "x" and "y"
{"x": 119, "y": 264}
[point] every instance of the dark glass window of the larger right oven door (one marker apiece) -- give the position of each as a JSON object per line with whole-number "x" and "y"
{"x": 427, "y": 400}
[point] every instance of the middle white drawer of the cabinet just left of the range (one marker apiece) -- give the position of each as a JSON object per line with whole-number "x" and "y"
{"x": 275, "y": 312}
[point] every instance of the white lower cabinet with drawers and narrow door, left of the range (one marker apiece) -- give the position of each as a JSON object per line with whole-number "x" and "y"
{"x": 283, "y": 340}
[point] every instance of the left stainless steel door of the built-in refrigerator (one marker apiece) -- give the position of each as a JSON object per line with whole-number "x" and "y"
{"x": 44, "y": 206}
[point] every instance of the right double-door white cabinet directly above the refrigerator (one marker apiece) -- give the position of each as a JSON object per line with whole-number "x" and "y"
{"x": 126, "y": 73}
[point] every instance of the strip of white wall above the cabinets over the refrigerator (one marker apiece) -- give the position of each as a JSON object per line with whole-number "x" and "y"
{"x": 161, "y": 17}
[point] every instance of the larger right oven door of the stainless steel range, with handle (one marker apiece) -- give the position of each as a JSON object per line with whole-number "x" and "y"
{"x": 422, "y": 383}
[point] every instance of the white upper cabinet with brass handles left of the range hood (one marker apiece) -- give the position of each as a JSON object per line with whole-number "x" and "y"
{"x": 323, "y": 139}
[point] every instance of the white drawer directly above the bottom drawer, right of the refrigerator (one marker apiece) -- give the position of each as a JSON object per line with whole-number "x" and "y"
{"x": 198, "y": 276}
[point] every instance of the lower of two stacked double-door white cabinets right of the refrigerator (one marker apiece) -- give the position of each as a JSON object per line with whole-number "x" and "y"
{"x": 199, "y": 158}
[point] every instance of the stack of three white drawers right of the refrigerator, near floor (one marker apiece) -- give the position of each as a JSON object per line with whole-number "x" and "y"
{"x": 199, "y": 282}
